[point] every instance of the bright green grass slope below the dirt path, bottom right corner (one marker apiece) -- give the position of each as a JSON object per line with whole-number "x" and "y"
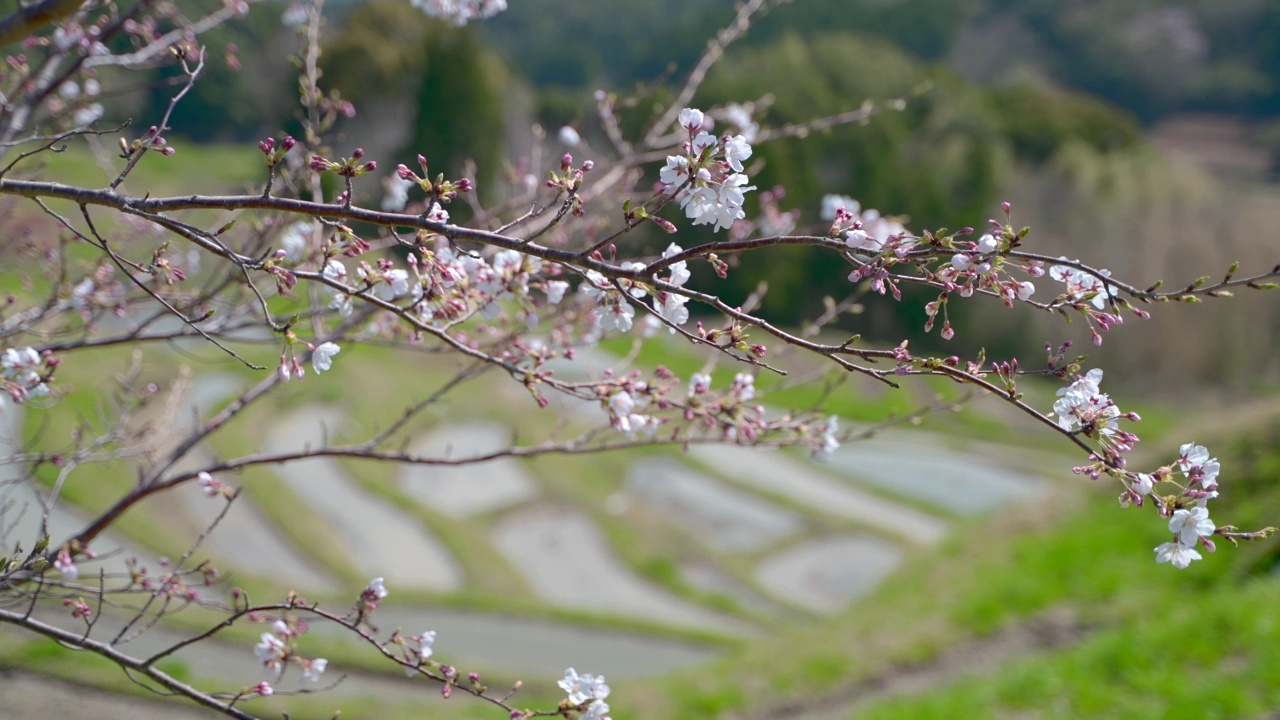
{"x": 1212, "y": 654}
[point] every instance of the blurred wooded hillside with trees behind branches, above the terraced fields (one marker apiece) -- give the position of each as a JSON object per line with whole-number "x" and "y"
{"x": 1144, "y": 135}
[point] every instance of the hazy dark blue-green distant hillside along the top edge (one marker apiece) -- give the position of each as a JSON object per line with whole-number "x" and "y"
{"x": 1150, "y": 57}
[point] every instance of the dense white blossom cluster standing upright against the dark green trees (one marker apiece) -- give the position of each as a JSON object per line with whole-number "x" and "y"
{"x": 708, "y": 177}
